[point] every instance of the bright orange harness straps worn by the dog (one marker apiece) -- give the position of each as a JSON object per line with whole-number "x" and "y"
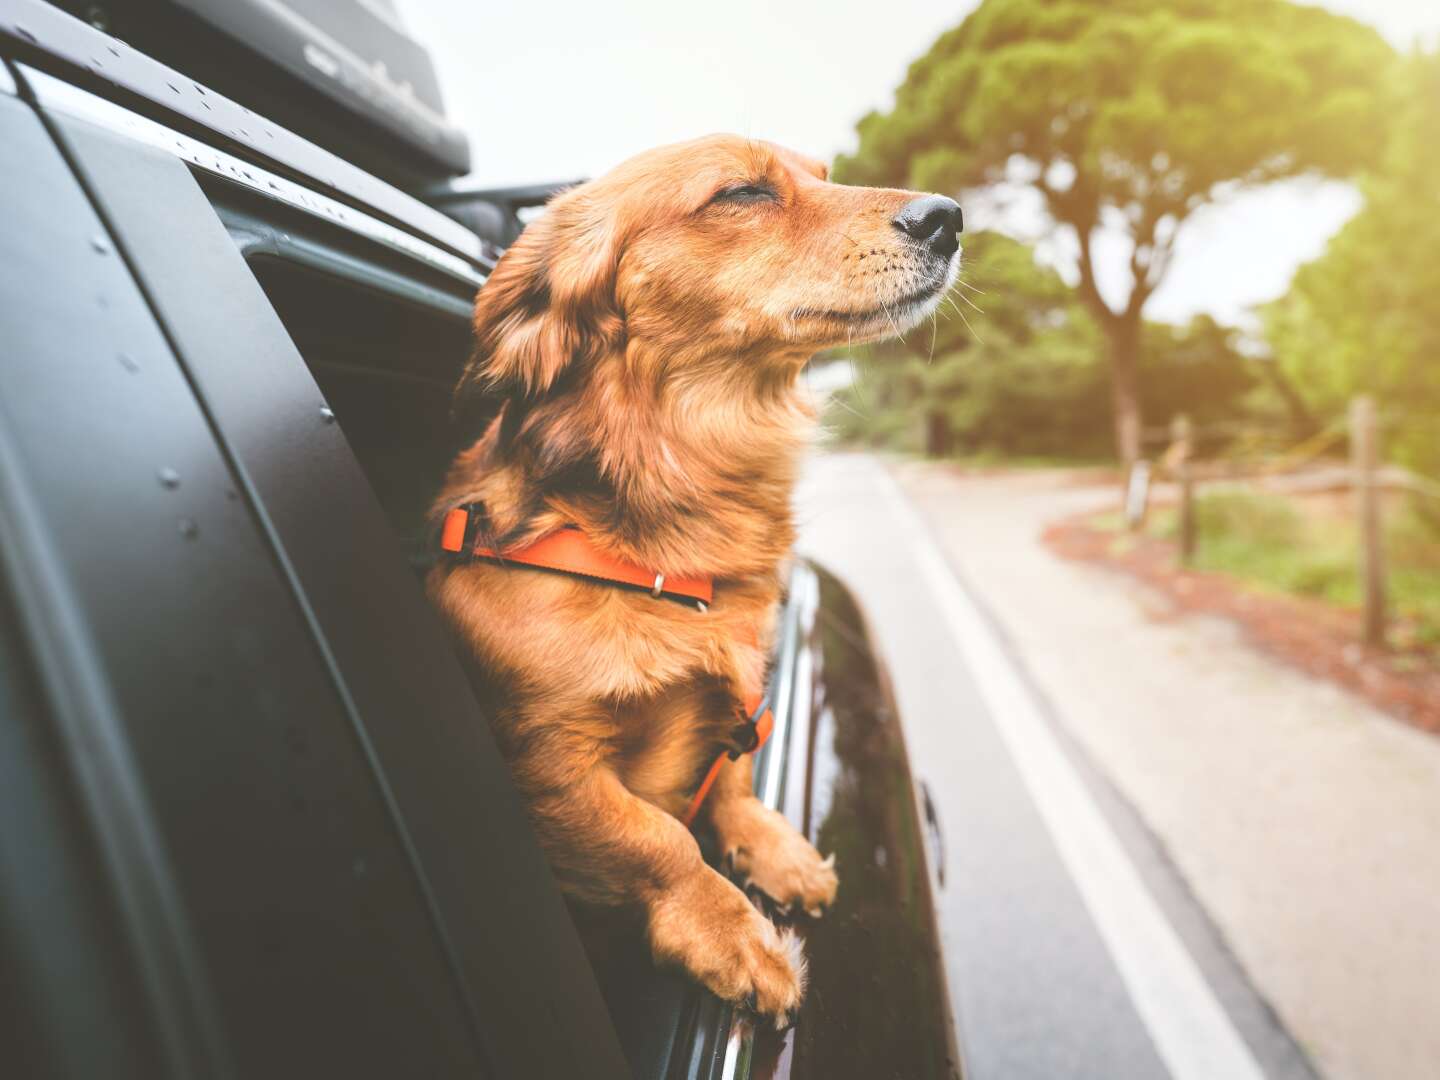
{"x": 568, "y": 551}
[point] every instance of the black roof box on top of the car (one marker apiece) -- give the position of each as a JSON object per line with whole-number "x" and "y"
{"x": 345, "y": 74}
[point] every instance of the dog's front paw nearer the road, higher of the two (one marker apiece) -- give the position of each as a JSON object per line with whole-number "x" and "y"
{"x": 768, "y": 855}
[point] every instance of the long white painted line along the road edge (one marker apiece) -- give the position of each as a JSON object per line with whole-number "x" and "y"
{"x": 1192, "y": 1032}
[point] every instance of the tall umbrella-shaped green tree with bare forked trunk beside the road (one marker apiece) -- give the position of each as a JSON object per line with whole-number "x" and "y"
{"x": 1130, "y": 114}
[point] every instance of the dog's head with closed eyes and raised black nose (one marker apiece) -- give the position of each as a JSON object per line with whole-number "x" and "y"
{"x": 719, "y": 254}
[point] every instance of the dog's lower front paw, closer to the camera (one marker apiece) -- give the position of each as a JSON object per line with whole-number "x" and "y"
{"x": 709, "y": 928}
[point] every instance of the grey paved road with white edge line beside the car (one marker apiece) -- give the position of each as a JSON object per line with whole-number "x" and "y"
{"x": 1074, "y": 948}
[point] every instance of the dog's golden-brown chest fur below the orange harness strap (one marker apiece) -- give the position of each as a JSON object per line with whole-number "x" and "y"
{"x": 652, "y": 686}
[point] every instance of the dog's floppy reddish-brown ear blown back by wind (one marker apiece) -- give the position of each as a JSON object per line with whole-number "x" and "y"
{"x": 549, "y": 305}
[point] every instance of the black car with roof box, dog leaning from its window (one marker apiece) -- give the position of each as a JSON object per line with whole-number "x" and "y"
{"x": 253, "y": 823}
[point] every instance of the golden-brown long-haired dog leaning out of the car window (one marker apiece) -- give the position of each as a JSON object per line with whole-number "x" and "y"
{"x": 647, "y": 336}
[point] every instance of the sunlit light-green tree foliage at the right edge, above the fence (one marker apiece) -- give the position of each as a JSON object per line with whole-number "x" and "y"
{"x": 1364, "y": 318}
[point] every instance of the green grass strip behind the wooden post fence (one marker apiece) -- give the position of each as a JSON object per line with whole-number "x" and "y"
{"x": 1271, "y": 542}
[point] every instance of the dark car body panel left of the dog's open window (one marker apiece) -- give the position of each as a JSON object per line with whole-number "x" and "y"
{"x": 307, "y": 853}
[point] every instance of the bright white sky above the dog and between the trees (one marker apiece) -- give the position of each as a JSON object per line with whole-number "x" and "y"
{"x": 567, "y": 89}
